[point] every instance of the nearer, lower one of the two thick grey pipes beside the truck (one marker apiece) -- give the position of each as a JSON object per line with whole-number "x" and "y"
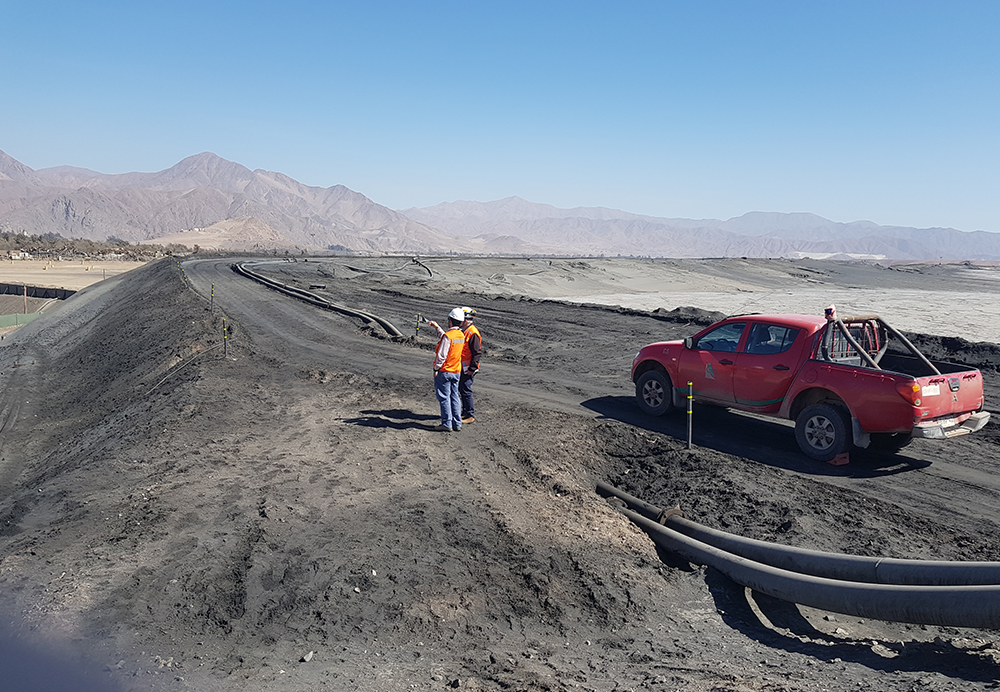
{"x": 951, "y": 606}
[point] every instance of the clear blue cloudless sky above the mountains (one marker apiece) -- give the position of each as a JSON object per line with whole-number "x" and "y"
{"x": 885, "y": 111}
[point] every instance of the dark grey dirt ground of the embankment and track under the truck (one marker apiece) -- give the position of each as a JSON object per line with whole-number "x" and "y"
{"x": 283, "y": 516}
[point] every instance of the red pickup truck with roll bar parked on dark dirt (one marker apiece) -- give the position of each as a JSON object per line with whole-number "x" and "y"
{"x": 837, "y": 378}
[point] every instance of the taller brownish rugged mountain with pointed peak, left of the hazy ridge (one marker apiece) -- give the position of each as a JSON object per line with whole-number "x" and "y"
{"x": 198, "y": 192}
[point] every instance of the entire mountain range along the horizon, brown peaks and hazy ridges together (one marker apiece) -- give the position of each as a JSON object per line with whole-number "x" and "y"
{"x": 225, "y": 205}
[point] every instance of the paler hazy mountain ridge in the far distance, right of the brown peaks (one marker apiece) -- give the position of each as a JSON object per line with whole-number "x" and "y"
{"x": 597, "y": 230}
